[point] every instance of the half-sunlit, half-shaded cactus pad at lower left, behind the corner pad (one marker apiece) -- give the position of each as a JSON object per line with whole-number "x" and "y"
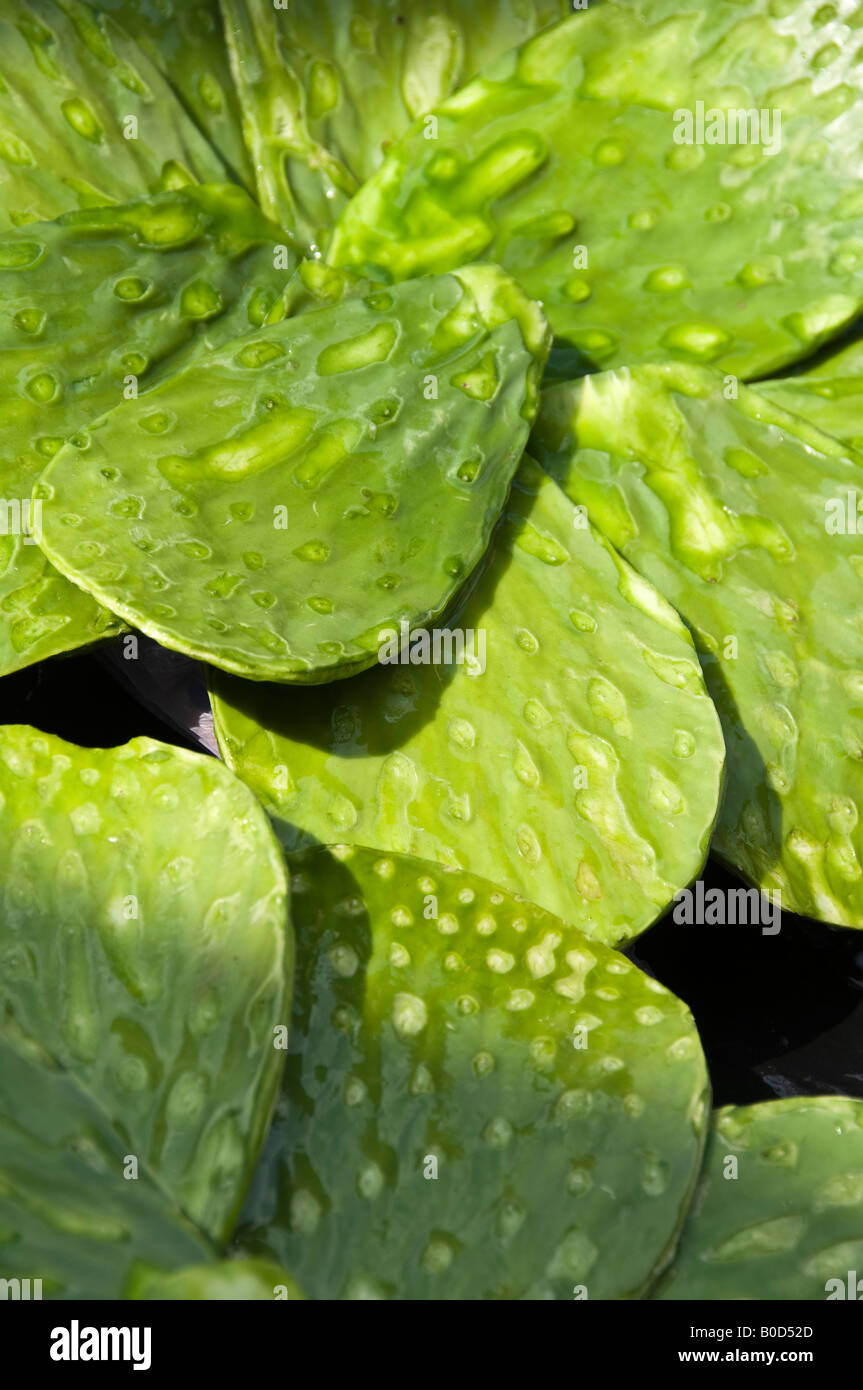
{"x": 147, "y": 964}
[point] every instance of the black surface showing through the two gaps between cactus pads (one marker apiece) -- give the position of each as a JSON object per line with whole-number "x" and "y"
{"x": 778, "y": 1015}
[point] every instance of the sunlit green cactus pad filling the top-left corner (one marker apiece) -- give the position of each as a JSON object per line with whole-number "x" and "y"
{"x": 85, "y": 117}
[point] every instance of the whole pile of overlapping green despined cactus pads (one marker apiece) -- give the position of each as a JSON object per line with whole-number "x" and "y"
{"x": 473, "y": 398}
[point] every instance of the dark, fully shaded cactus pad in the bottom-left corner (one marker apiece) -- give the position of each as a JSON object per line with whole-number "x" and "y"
{"x": 69, "y": 1217}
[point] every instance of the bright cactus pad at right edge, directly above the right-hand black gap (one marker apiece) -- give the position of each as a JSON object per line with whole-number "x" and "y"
{"x": 739, "y": 514}
